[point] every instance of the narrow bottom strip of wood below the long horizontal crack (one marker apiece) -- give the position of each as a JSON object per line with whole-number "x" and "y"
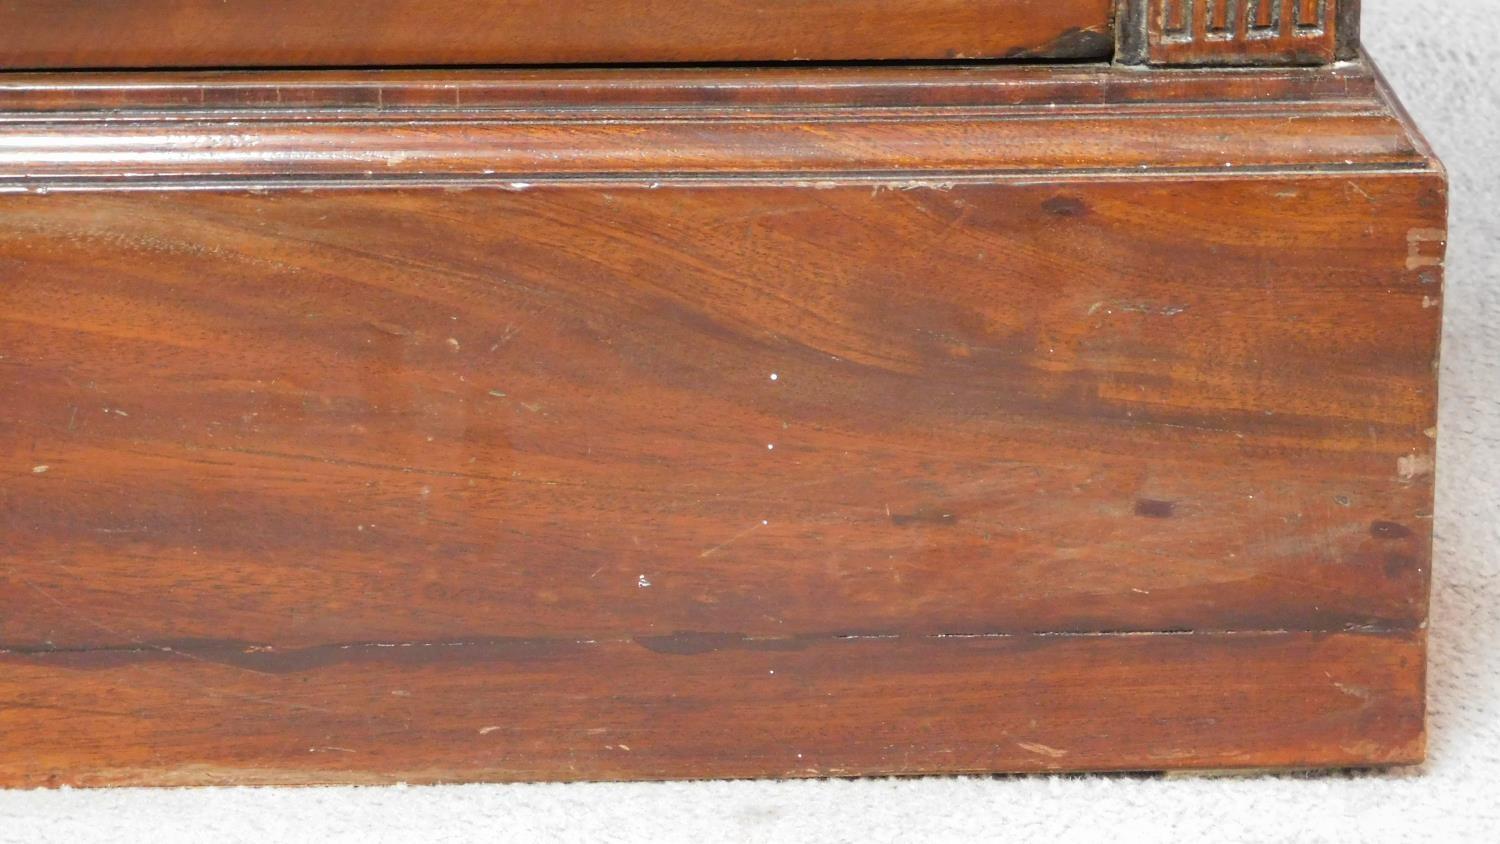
{"x": 707, "y": 707}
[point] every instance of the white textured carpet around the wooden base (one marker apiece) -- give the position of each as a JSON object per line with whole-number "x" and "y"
{"x": 1441, "y": 55}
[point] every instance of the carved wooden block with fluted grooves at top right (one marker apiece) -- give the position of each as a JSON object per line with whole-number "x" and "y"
{"x": 1237, "y": 32}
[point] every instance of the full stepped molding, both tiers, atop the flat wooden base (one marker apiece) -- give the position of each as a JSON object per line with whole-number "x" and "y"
{"x": 805, "y": 124}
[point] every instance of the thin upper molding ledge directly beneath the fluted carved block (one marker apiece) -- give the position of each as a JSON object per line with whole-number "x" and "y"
{"x": 587, "y": 89}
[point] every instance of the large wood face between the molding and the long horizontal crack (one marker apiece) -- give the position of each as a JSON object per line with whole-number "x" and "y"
{"x": 997, "y": 409}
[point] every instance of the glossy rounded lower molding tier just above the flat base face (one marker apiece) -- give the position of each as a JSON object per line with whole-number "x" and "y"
{"x": 214, "y": 149}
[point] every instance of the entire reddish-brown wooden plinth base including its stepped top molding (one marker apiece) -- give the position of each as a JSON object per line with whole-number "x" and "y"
{"x": 557, "y": 425}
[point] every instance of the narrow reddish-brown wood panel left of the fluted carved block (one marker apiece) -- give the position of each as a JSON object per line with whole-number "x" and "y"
{"x": 301, "y": 34}
